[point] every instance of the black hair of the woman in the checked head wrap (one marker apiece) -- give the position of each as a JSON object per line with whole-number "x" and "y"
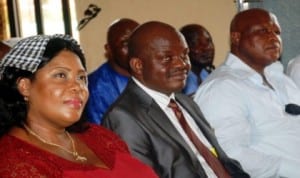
{"x": 13, "y": 107}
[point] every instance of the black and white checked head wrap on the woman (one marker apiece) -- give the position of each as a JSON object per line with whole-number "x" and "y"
{"x": 28, "y": 53}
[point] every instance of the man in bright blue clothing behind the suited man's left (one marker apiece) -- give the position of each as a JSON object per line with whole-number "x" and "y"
{"x": 108, "y": 81}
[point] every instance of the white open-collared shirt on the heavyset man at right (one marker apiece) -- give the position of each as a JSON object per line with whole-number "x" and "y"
{"x": 249, "y": 117}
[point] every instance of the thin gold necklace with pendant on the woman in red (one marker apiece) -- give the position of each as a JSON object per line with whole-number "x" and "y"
{"x": 74, "y": 152}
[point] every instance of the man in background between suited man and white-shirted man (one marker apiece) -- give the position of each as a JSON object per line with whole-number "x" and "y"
{"x": 201, "y": 54}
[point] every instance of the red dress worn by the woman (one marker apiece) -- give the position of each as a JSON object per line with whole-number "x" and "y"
{"x": 21, "y": 159}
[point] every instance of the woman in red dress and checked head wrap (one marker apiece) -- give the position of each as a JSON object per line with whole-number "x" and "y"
{"x": 43, "y": 93}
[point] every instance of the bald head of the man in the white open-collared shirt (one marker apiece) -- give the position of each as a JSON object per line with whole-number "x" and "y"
{"x": 255, "y": 38}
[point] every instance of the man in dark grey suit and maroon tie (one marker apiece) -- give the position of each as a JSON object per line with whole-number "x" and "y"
{"x": 142, "y": 115}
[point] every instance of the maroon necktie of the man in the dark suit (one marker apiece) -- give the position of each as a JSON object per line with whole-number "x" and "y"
{"x": 211, "y": 160}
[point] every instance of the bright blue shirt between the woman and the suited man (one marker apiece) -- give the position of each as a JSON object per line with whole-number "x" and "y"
{"x": 105, "y": 85}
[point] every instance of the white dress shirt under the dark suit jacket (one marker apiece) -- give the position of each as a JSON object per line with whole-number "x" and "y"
{"x": 163, "y": 101}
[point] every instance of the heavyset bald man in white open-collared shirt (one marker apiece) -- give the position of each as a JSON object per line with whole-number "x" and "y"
{"x": 245, "y": 99}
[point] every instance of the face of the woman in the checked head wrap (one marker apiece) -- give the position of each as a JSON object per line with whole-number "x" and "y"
{"x": 59, "y": 91}
